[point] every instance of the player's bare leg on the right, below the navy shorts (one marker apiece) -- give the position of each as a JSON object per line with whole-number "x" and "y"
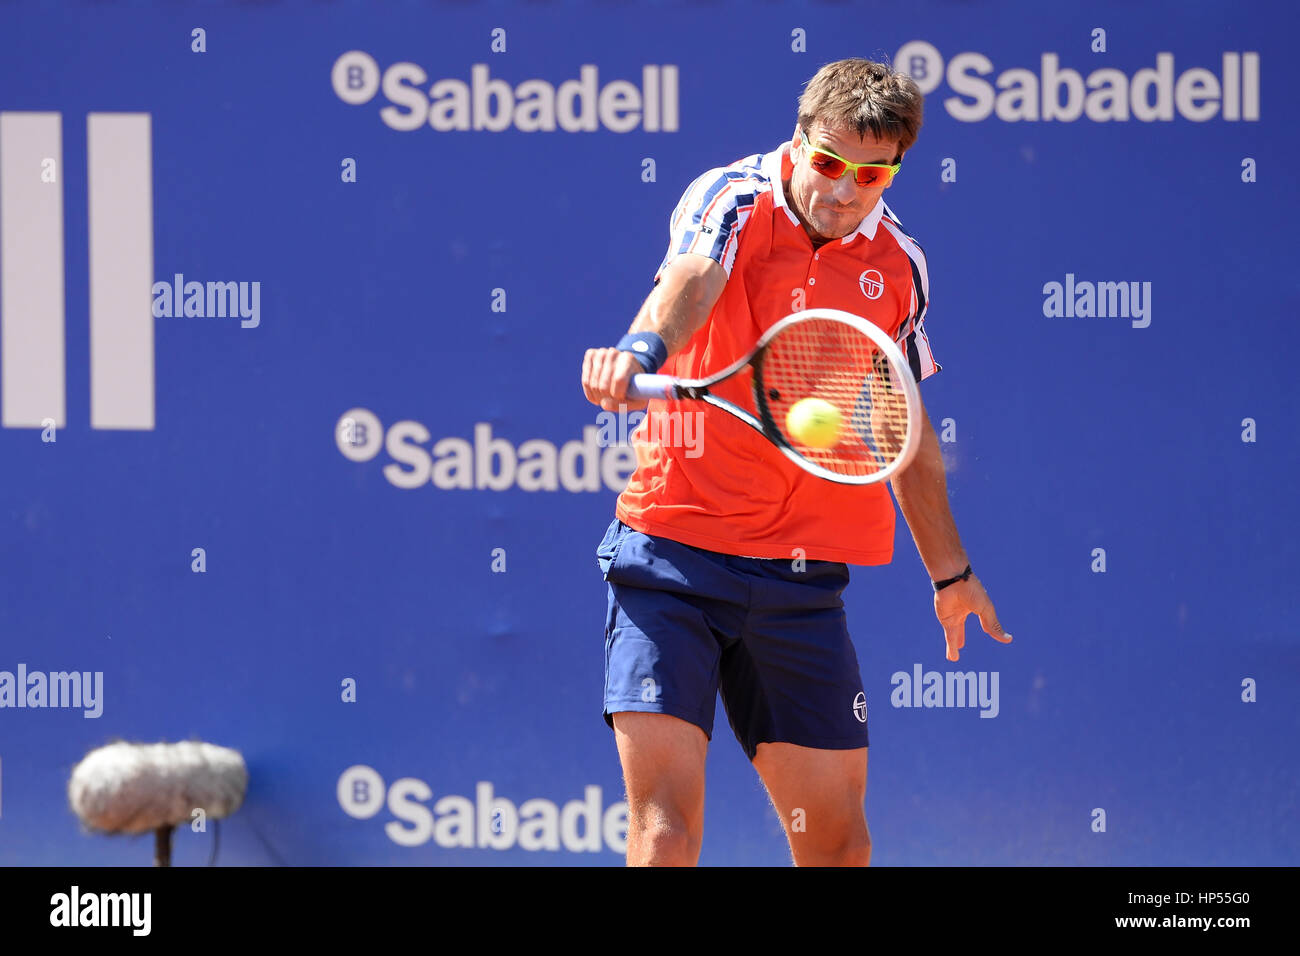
{"x": 820, "y": 797}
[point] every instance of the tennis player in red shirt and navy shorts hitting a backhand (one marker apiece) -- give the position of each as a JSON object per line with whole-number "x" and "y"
{"x": 726, "y": 563}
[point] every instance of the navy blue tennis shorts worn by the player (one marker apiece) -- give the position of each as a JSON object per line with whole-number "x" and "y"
{"x": 686, "y": 624}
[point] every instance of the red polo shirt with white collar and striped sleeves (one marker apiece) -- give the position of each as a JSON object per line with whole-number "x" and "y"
{"x": 722, "y": 486}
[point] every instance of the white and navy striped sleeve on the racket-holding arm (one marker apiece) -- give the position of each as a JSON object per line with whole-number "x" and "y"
{"x": 713, "y": 213}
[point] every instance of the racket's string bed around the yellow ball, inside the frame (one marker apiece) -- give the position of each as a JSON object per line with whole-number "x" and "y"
{"x": 834, "y": 362}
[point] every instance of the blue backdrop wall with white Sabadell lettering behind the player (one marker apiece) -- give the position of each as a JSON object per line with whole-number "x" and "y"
{"x": 1160, "y": 690}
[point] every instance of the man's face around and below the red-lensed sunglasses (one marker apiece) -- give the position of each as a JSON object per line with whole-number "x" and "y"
{"x": 833, "y": 209}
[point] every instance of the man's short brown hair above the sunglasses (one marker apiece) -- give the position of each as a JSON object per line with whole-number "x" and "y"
{"x": 864, "y": 96}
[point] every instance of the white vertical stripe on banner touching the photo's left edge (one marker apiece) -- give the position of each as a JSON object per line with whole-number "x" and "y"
{"x": 32, "y": 270}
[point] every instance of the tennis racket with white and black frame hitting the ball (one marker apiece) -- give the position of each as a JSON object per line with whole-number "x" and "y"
{"x": 830, "y": 356}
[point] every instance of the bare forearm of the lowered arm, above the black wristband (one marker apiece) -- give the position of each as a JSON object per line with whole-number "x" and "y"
{"x": 922, "y": 494}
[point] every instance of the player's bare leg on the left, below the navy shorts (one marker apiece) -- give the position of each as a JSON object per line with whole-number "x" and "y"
{"x": 664, "y": 769}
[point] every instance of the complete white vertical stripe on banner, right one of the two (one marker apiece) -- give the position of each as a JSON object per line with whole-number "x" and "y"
{"x": 122, "y": 271}
